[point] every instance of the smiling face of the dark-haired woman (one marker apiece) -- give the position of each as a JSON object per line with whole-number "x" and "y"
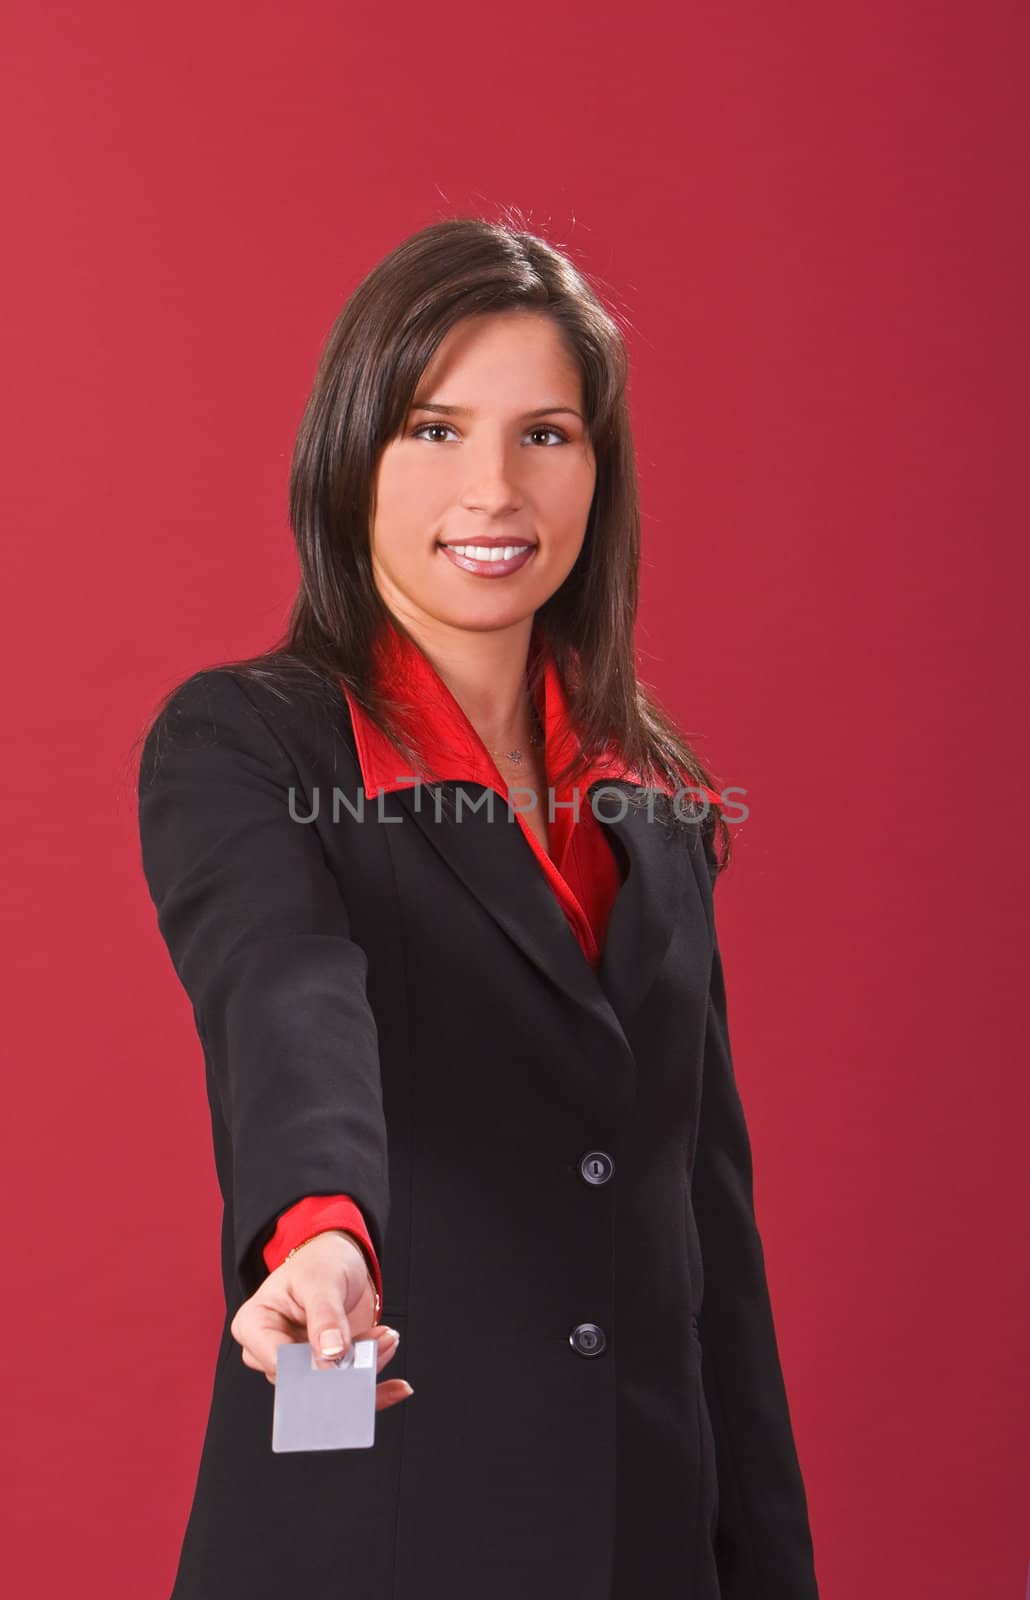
{"x": 508, "y": 465}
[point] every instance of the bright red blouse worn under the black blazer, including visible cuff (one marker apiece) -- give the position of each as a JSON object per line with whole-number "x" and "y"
{"x": 581, "y": 868}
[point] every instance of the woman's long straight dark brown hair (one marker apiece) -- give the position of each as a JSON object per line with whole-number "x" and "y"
{"x": 369, "y": 372}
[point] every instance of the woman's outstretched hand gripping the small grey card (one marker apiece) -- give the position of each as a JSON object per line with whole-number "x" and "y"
{"x": 322, "y": 1294}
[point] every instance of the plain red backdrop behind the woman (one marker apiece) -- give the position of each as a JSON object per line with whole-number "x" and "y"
{"x": 813, "y": 222}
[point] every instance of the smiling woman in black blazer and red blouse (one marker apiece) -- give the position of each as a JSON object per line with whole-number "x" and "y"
{"x": 437, "y": 878}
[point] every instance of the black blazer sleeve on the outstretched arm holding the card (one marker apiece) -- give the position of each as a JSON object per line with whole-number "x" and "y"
{"x": 260, "y": 937}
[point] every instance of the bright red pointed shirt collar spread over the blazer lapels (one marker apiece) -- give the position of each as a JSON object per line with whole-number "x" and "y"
{"x": 452, "y": 743}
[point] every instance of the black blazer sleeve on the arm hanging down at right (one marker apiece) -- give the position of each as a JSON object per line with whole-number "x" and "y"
{"x": 762, "y": 1540}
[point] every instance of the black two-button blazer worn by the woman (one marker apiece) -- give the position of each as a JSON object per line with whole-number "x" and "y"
{"x": 553, "y": 1162}
